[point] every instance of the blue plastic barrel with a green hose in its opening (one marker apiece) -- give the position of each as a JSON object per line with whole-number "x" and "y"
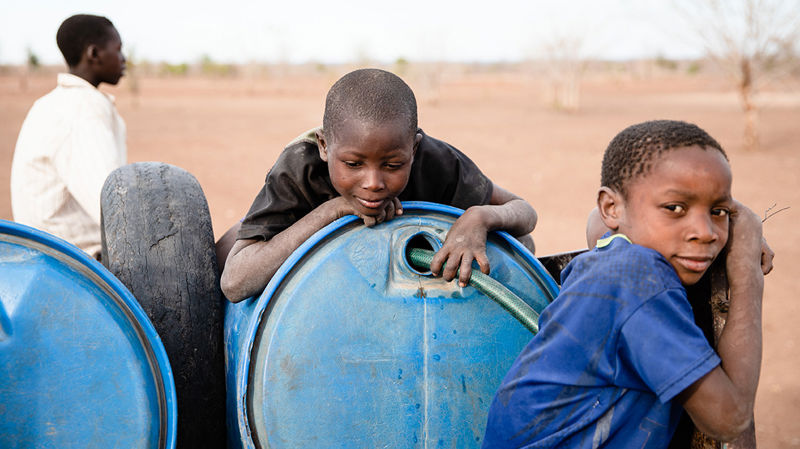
{"x": 350, "y": 346}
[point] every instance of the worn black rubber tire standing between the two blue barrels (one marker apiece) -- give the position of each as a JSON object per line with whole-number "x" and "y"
{"x": 157, "y": 239}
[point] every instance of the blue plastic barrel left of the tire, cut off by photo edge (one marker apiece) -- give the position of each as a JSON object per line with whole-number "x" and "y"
{"x": 80, "y": 364}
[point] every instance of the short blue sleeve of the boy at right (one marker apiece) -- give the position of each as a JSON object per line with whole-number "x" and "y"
{"x": 661, "y": 343}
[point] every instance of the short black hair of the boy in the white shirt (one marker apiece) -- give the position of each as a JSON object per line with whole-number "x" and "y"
{"x": 81, "y": 30}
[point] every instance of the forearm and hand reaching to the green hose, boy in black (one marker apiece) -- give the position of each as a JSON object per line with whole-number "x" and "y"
{"x": 466, "y": 240}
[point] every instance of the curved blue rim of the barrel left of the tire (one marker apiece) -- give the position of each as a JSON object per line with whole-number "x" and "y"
{"x": 77, "y": 259}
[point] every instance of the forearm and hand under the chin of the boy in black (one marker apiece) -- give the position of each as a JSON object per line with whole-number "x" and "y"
{"x": 251, "y": 263}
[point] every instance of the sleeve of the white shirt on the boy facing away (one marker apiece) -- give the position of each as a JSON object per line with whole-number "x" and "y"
{"x": 89, "y": 158}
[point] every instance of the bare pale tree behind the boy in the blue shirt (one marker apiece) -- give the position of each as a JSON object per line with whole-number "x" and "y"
{"x": 754, "y": 41}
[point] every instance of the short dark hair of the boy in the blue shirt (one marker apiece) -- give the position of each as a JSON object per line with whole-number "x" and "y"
{"x": 631, "y": 153}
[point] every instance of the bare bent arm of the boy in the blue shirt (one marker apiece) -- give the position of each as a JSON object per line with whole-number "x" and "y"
{"x": 721, "y": 403}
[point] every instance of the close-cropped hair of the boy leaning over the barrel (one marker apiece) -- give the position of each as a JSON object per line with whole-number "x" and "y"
{"x": 370, "y": 95}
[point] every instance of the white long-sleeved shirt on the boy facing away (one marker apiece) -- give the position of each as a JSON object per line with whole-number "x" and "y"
{"x": 70, "y": 141}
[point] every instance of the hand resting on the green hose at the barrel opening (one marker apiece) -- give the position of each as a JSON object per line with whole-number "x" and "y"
{"x": 465, "y": 242}
